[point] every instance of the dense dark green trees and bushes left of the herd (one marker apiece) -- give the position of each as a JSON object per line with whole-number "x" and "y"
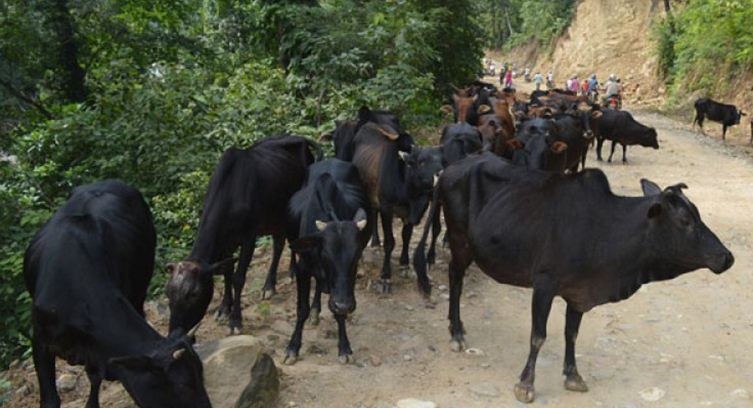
{"x": 152, "y": 92}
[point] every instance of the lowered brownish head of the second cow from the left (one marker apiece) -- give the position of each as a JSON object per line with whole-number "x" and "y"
{"x": 189, "y": 290}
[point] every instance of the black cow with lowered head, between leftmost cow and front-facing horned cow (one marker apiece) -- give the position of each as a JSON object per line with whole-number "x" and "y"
{"x": 247, "y": 197}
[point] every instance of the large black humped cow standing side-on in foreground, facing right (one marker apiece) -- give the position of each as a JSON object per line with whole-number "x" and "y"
{"x": 570, "y": 249}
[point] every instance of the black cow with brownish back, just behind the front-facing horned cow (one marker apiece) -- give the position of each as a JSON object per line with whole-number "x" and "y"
{"x": 397, "y": 183}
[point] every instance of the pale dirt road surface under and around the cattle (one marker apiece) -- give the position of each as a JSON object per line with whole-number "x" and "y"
{"x": 682, "y": 343}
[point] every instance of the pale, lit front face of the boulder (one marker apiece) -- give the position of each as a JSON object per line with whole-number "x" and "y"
{"x": 226, "y": 367}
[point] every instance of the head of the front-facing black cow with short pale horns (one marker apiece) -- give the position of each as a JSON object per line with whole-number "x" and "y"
{"x": 337, "y": 247}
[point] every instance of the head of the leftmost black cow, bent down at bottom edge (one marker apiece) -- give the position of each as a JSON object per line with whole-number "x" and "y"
{"x": 169, "y": 375}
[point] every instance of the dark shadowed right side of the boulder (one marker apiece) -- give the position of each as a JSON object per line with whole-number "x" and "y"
{"x": 264, "y": 388}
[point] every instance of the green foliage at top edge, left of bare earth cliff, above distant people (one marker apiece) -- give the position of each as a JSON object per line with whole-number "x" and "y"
{"x": 509, "y": 23}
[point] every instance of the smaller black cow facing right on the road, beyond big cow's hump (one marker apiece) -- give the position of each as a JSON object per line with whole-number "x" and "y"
{"x": 620, "y": 127}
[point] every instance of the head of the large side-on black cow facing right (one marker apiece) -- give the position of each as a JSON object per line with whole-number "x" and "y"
{"x": 680, "y": 237}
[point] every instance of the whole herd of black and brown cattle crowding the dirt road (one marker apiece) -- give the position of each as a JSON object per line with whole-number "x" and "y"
{"x": 508, "y": 175}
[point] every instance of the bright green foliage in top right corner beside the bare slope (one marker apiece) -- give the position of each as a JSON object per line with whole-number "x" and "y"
{"x": 703, "y": 43}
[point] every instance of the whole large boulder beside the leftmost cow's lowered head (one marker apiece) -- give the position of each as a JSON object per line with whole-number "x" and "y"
{"x": 238, "y": 373}
